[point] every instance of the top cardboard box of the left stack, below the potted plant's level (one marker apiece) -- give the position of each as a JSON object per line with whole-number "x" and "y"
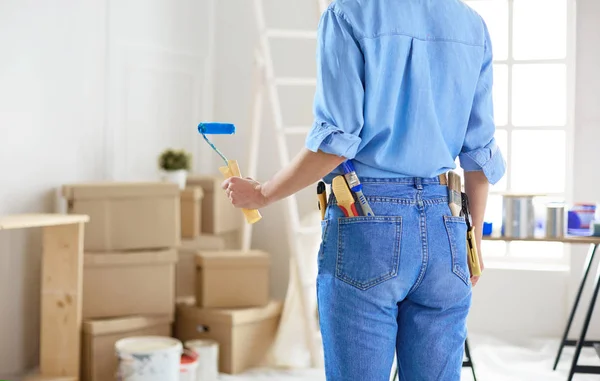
{"x": 127, "y": 216}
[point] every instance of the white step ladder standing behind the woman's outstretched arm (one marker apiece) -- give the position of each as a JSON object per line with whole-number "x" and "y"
{"x": 269, "y": 85}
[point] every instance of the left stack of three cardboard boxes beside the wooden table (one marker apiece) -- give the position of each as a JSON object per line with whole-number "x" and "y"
{"x": 129, "y": 265}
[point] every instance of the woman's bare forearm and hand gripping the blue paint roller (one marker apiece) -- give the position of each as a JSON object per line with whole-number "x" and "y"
{"x": 307, "y": 168}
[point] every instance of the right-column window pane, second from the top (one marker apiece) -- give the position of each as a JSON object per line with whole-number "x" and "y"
{"x": 539, "y": 95}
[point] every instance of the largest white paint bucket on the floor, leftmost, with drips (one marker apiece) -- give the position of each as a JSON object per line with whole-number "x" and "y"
{"x": 149, "y": 358}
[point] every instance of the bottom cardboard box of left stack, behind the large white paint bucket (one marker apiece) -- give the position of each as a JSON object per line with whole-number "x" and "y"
{"x": 98, "y": 359}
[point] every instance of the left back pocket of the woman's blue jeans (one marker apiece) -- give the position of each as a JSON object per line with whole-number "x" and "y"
{"x": 368, "y": 250}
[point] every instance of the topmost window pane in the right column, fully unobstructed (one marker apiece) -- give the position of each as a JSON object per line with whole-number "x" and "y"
{"x": 540, "y": 29}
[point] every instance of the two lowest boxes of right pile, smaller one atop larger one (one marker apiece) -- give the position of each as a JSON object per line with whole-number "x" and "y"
{"x": 232, "y": 307}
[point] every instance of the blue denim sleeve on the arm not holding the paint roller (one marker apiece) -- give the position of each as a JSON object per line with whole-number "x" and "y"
{"x": 480, "y": 151}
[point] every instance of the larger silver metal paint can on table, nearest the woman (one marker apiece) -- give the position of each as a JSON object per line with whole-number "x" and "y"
{"x": 518, "y": 216}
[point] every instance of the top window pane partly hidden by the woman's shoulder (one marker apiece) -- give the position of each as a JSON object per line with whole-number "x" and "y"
{"x": 495, "y": 14}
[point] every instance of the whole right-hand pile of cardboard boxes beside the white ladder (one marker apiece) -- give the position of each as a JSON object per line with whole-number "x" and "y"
{"x": 231, "y": 302}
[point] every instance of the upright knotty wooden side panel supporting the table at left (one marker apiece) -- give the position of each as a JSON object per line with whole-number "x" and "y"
{"x": 62, "y": 273}
